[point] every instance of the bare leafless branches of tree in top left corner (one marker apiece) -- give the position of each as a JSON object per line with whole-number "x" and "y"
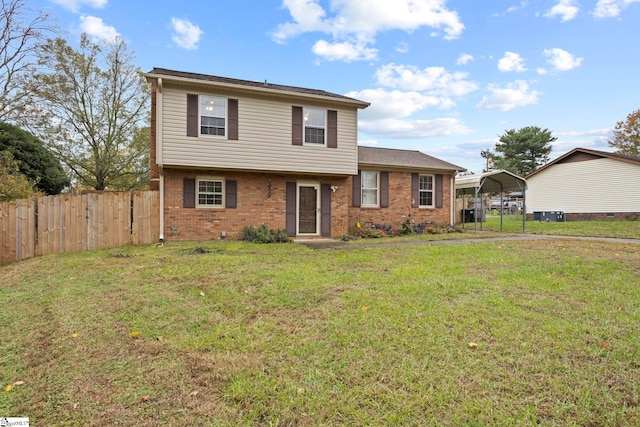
{"x": 22, "y": 33}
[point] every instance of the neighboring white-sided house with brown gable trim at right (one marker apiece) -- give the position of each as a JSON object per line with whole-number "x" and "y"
{"x": 587, "y": 184}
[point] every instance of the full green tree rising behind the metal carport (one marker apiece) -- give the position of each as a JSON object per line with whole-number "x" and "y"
{"x": 524, "y": 150}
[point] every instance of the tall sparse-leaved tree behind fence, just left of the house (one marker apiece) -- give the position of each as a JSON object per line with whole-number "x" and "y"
{"x": 92, "y": 102}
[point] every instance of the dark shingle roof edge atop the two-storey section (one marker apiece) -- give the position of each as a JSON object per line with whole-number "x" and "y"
{"x": 163, "y": 72}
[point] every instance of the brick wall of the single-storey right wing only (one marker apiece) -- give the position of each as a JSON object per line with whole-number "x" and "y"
{"x": 400, "y": 205}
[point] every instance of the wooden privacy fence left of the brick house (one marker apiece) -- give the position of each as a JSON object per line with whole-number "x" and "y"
{"x": 77, "y": 222}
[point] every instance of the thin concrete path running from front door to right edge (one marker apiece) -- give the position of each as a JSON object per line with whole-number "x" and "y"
{"x": 339, "y": 244}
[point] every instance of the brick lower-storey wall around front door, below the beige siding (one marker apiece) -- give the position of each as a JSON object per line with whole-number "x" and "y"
{"x": 261, "y": 200}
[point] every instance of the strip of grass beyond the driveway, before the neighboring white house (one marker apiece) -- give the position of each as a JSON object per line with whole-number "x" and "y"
{"x": 513, "y": 223}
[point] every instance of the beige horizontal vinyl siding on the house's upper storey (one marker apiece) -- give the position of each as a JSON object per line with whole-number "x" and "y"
{"x": 264, "y": 142}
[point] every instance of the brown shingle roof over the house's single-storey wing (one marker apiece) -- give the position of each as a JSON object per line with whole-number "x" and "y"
{"x": 405, "y": 159}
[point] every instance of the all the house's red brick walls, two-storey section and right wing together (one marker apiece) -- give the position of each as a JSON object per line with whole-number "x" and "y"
{"x": 262, "y": 200}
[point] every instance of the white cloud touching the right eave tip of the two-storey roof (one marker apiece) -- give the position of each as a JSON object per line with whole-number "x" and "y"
{"x": 395, "y": 103}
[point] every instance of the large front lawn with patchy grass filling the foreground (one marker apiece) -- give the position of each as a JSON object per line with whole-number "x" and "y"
{"x": 229, "y": 333}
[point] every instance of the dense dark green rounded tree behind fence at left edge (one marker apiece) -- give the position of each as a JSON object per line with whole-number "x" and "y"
{"x": 34, "y": 160}
